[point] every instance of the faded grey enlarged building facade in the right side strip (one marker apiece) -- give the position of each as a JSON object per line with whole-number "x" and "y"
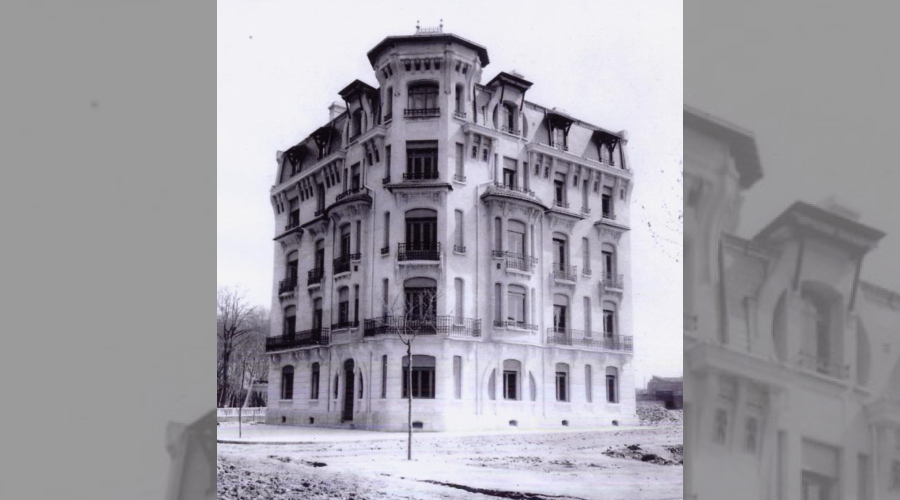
{"x": 792, "y": 378}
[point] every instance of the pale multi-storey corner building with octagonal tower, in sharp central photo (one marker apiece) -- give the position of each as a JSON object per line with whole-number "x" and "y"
{"x": 493, "y": 228}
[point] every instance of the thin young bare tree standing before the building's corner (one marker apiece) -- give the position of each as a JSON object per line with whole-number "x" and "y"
{"x": 419, "y": 317}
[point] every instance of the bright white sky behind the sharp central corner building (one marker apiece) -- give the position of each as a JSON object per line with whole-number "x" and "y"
{"x": 616, "y": 65}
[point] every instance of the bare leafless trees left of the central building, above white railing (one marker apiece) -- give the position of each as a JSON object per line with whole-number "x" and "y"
{"x": 236, "y": 321}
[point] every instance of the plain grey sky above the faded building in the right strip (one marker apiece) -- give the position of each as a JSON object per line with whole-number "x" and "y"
{"x": 817, "y": 83}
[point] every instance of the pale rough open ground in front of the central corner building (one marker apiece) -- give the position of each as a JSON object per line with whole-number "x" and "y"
{"x": 520, "y": 464}
